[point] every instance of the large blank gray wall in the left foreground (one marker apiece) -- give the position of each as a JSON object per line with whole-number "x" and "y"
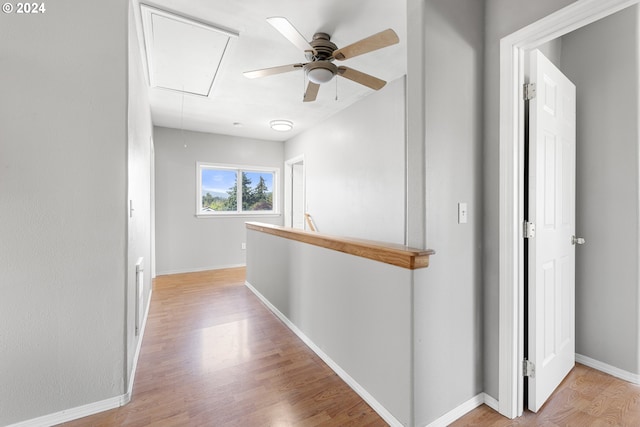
{"x": 63, "y": 151}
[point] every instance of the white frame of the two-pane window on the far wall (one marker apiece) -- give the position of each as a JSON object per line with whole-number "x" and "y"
{"x": 239, "y": 169}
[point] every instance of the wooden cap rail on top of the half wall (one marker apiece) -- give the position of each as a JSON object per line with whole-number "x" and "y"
{"x": 398, "y": 255}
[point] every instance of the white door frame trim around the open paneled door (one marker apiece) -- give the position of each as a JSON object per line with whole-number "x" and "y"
{"x": 513, "y": 49}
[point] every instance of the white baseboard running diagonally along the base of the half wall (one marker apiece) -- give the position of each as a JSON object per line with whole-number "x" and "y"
{"x": 375, "y": 405}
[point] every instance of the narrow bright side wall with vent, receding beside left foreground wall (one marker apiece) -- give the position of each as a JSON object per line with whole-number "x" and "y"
{"x": 140, "y": 131}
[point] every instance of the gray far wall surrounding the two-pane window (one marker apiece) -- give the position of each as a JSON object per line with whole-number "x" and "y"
{"x": 186, "y": 243}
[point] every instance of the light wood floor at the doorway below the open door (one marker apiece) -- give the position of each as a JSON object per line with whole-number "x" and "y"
{"x": 585, "y": 398}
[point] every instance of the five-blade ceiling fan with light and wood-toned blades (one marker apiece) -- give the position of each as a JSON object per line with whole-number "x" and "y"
{"x": 321, "y": 52}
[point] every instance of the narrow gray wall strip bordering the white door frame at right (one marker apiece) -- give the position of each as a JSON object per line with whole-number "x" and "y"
{"x": 502, "y": 17}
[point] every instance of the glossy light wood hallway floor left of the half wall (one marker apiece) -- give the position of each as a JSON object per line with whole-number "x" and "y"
{"x": 213, "y": 355}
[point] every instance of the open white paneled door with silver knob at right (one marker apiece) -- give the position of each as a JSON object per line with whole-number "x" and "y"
{"x": 551, "y": 260}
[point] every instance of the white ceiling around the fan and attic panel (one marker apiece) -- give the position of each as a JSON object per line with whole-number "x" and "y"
{"x": 244, "y": 107}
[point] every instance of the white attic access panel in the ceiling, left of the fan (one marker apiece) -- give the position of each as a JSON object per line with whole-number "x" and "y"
{"x": 182, "y": 54}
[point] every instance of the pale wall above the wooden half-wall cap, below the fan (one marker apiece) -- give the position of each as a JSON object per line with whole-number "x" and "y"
{"x": 354, "y": 166}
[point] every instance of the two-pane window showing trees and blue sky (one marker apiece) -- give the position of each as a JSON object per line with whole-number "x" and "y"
{"x": 225, "y": 190}
